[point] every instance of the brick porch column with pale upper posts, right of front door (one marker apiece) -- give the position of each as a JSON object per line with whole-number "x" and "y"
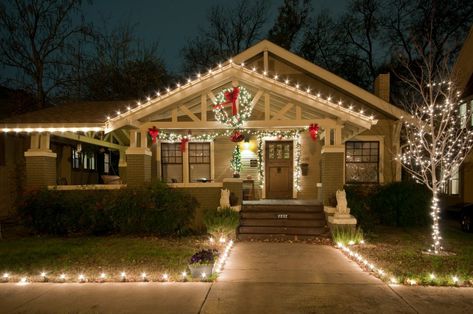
{"x": 333, "y": 165}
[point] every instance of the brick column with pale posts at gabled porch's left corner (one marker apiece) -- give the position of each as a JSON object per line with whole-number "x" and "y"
{"x": 138, "y": 159}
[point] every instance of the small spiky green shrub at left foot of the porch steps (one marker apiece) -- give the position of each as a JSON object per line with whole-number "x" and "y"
{"x": 221, "y": 222}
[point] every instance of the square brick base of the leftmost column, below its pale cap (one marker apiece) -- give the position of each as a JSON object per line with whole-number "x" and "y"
{"x": 40, "y": 171}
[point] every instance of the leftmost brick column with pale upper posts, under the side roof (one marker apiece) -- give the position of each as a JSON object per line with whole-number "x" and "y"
{"x": 40, "y": 162}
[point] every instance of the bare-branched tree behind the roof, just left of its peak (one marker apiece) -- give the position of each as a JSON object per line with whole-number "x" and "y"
{"x": 229, "y": 30}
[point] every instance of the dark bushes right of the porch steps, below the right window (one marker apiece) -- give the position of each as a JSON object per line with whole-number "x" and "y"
{"x": 400, "y": 204}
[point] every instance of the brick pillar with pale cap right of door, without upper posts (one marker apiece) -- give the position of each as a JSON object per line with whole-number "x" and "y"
{"x": 333, "y": 171}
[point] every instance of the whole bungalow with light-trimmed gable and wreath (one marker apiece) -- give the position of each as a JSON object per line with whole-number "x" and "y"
{"x": 281, "y": 94}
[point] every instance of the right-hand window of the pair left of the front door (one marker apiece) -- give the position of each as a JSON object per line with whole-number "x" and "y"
{"x": 199, "y": 162}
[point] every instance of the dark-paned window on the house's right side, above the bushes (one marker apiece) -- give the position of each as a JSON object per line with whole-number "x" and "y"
{"x": 362, "y": 162}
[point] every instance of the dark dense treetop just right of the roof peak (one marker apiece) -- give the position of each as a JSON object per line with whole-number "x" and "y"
{"x": 292, "y": 17}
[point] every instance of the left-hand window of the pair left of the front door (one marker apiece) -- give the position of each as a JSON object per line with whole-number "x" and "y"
{"x": 171, "y": 162}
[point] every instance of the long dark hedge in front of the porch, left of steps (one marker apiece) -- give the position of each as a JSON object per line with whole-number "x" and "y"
{"x": 154, "y": 209}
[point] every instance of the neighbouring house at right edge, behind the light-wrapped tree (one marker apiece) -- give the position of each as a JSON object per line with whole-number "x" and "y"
{"x": 460, "y": 187}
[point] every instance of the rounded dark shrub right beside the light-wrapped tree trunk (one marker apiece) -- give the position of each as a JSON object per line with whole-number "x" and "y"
{"x": 402, "y": 204}
